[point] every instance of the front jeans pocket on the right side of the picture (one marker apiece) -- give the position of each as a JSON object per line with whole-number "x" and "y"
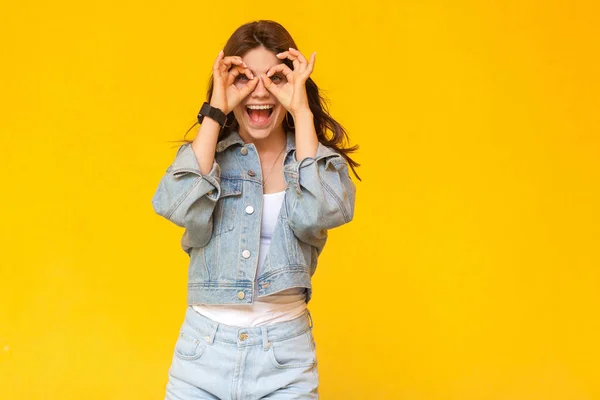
{"x": 296, "y": 352}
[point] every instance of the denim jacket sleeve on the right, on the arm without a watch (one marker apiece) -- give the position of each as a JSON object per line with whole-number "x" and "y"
{"x": 320, "y": 197}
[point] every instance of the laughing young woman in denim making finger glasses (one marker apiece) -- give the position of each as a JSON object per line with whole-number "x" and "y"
{"x": 256, "y": 191}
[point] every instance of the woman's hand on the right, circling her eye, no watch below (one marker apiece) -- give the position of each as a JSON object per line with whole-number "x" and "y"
{"x": 291, "y": 91}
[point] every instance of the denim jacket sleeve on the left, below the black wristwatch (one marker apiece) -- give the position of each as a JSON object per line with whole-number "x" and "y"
{"x": 187, "y": 198}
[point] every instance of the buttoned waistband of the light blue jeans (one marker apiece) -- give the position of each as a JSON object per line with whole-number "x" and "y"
{"x": 248, "y": 336}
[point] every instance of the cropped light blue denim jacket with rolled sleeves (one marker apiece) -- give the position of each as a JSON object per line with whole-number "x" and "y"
{"x": 221, "y": 213}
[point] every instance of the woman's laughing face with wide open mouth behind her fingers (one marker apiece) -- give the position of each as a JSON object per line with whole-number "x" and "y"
{"x": 259, "y": 113}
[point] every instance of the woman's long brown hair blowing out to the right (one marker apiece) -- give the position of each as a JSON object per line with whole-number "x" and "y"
{"x": 274, "y": 37}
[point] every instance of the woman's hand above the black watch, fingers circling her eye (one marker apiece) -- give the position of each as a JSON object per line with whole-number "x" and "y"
{"x": 226, "y": 94}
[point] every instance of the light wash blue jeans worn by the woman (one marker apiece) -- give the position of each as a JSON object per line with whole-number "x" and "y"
{"x": 217, "y": 361}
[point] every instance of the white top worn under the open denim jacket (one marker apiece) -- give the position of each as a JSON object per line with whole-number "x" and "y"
{"x": 277, "y": 307}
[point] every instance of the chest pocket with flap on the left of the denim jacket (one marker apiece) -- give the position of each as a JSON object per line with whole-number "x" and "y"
{"x": 226, "y": 210}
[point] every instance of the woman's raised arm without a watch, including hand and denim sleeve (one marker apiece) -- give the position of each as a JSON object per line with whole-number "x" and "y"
{"x": 321, "y": 194}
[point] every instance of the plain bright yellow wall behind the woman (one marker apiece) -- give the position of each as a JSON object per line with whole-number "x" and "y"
{"x": 471, "y": 270}
